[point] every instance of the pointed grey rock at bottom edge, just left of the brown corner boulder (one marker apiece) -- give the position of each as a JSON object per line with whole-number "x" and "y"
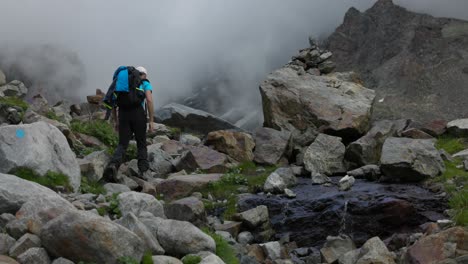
{"x": 375, "y": 251}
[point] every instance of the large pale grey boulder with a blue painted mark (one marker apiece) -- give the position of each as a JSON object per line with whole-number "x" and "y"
{"x": 40, "y": 147}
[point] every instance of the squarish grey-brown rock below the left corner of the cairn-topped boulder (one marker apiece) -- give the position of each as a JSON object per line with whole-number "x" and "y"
{"x": 271, "y": 146}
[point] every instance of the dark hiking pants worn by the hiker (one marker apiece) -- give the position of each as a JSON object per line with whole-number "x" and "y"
{"x": 132, "y": 121}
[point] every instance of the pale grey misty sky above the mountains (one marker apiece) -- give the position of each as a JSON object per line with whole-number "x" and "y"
{"x": 74, "y": 46}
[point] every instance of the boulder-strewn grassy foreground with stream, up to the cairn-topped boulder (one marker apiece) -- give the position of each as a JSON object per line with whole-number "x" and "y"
{"x": 319, "y": 183}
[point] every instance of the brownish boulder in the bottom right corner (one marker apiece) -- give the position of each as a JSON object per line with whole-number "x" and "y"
{"x": 438, "y": 247}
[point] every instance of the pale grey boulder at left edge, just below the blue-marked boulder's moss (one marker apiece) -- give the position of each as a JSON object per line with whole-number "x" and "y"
{"x": 14, "y": 192}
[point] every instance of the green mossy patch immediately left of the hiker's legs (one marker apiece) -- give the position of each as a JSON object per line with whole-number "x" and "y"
{"x": 99, "y": 129}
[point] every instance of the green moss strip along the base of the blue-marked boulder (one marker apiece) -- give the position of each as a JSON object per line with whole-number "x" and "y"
{"x": 50, "y": 179}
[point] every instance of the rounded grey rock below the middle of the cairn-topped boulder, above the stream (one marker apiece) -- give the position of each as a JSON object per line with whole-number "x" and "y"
{"x": 325, "y": 156}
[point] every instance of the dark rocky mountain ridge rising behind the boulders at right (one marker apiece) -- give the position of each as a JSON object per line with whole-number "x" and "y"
{"x": 417, "y": 64}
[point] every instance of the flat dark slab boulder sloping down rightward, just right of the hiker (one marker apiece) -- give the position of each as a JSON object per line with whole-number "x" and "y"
{"x": 190, "y": 119}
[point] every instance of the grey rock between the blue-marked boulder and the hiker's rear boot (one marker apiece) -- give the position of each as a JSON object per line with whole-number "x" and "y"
{"x": 92, "y": 166}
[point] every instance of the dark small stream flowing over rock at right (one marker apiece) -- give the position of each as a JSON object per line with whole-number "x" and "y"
{"x": 369, "y": 209}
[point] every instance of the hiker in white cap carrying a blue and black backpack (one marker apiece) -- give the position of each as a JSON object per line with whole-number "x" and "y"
{"x": 134, "y": 99}
